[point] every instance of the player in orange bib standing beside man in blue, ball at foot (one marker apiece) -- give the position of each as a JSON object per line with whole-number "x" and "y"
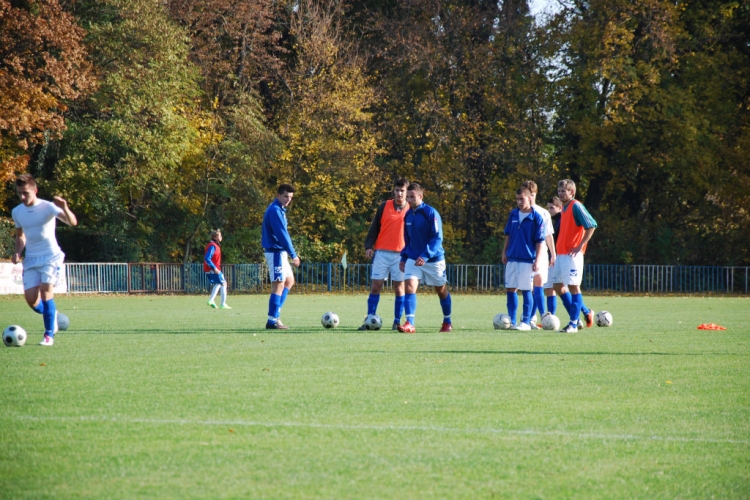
{"x": 383, "y": 245}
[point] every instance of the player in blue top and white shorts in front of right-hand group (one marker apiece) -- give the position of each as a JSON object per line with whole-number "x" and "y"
{"x": 523, "y": 255}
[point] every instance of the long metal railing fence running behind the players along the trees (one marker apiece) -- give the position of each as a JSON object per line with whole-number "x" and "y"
{"x": 329, "y": 277}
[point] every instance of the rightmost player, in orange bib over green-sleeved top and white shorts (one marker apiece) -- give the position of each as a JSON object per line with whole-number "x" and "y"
{"x": 576, "y": 229}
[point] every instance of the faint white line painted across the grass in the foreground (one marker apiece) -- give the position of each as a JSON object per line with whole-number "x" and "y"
{"x": 397, "y": 428}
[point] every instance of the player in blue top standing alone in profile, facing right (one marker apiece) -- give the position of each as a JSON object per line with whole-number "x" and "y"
{"x": 278, "y": 249}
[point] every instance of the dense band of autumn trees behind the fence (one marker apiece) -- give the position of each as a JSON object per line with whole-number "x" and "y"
{"x": 162, "y": 120}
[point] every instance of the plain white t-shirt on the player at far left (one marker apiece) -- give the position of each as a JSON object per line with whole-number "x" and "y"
{"x": 38, "y": 224}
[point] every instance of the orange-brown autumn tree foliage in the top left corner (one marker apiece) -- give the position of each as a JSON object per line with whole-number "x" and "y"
{"x": 43, "y": 67}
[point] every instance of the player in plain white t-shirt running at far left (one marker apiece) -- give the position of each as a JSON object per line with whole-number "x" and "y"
{"x": 35, "y": 230}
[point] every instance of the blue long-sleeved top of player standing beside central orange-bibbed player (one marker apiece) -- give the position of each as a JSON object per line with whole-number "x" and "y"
{"x": 423, "y": 235}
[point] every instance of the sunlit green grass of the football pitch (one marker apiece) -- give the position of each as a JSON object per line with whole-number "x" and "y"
{"x": 163, "y": 397}
